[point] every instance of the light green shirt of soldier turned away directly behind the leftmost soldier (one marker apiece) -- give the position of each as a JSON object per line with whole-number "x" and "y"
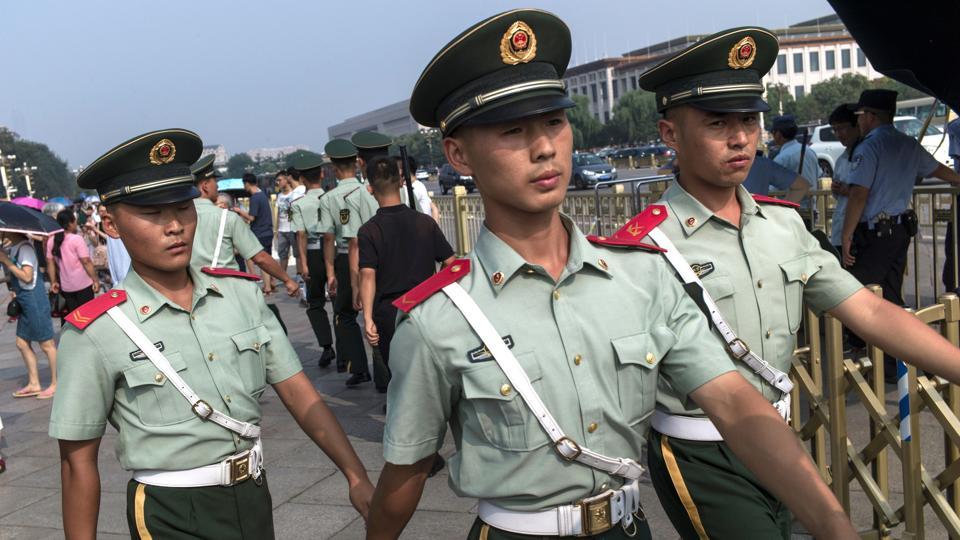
{"x": 236, "y": 236}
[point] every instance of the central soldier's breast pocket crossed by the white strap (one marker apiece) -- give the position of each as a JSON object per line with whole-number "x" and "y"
{"x": 504, "y": 418}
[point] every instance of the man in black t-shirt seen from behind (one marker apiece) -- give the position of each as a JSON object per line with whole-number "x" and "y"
{"x": 399, "y": 248}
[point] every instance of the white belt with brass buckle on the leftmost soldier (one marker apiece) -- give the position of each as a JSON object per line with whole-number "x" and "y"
{"x": 229, "y": 472}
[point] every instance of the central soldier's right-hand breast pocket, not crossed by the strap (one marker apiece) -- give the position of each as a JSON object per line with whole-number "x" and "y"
{"x": 638, "y": 366}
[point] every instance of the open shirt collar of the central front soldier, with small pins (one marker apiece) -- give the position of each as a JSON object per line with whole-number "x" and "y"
{"x": 499, "y": 262}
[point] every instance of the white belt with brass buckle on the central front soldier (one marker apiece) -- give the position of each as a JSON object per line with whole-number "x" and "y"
{"x": 590, "y": 516}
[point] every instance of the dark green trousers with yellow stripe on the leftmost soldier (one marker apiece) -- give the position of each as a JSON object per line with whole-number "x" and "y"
{"x": 240, "y": 512}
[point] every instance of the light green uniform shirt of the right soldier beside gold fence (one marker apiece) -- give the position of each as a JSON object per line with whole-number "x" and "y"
{"x": 760, "y": 275}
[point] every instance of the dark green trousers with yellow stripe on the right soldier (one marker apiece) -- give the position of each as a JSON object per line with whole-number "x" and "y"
{"x": 707, "y": 492}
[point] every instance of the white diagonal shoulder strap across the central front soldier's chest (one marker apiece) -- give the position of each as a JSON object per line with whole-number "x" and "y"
{"x": 564, "y": 445}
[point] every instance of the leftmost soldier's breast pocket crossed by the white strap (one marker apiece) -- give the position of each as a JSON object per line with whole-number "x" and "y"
{"x": 158, "y": 402}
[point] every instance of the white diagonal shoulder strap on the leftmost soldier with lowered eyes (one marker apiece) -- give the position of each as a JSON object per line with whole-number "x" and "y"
{"x": 200, "y": 407}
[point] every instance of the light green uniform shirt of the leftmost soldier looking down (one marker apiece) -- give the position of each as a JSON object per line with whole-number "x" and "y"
{"x": 226, "y": 350}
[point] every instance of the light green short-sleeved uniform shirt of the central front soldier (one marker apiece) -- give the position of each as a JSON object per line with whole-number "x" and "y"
{"x": 593, "y": 343}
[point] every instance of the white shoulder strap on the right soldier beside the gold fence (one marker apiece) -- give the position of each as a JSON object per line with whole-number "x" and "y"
{"x": 735, "y": 345}
